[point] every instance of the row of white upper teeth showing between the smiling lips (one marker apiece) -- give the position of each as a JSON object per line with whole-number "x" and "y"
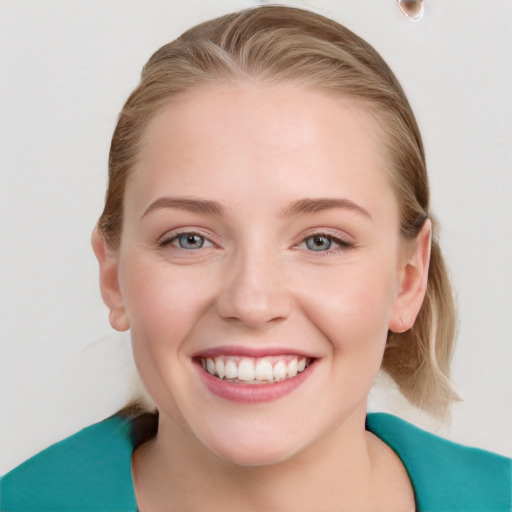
{"x": 249, "y": 370}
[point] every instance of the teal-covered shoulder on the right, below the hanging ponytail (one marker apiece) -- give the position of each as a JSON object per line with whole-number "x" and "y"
{"x": 446, "y": 475}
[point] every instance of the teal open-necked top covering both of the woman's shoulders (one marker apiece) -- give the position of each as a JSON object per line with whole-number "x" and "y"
{"x": 91, "y": 471}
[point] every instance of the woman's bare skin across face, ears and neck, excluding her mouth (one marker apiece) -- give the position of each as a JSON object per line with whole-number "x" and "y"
{"x": 262, "y": 216}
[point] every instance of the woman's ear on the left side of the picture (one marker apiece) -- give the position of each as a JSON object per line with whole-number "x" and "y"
{"x": 108, "y": 260}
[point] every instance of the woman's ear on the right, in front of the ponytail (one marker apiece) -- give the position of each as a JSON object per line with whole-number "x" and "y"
{"x": 413, "y": 279}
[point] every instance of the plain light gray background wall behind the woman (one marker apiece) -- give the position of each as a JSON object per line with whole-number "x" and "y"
{"x": 66, "y": 69}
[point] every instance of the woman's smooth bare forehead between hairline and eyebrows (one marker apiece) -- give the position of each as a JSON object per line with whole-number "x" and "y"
{"x": 285, "y": 140}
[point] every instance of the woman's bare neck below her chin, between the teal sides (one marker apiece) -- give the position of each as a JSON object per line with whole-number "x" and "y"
{"x": 175, "y": 471}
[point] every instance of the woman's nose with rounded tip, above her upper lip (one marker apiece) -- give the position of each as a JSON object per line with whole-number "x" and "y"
{"x": 254, "y": 292}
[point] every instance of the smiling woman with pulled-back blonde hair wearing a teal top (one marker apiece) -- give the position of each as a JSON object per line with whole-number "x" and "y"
{"x": 267, "y": 240}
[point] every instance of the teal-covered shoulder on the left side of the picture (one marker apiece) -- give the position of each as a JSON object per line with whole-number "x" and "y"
{"x": 90, "y": 470}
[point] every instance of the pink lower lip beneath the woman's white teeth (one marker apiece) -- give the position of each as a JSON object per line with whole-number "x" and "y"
{"x": 253, "y": 393}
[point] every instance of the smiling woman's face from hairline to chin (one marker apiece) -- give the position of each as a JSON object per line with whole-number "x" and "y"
{"x": 260, "y": 236}
